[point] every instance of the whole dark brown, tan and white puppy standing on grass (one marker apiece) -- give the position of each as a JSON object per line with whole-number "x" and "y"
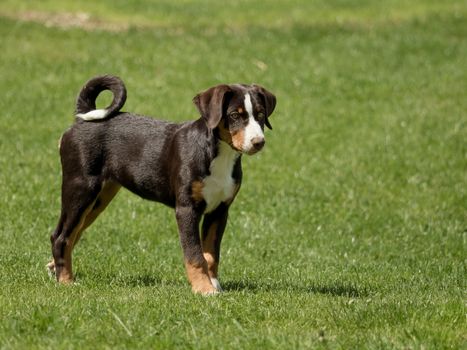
{"x": 193, "y": 167}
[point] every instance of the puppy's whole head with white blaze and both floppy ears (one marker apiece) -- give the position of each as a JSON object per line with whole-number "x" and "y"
{"x": 238, "y": 113}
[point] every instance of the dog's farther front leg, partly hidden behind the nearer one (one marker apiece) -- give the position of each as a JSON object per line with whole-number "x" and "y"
{"x": 212, "y": 231}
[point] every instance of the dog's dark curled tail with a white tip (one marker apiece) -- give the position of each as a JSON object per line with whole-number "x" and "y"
{"x": 86, "y": 101}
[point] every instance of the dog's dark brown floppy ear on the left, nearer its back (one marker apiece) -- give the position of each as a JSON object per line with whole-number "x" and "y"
{"x": 210, "y": 104}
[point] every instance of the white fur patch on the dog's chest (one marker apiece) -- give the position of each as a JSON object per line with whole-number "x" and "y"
{"x": 219, "y": 186}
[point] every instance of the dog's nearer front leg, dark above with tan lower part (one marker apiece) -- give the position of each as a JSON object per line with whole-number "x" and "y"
{"x": 196, "y": 266}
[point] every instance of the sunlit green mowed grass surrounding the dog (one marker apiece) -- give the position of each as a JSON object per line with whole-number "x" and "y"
{"x": 350, "y": 228}
